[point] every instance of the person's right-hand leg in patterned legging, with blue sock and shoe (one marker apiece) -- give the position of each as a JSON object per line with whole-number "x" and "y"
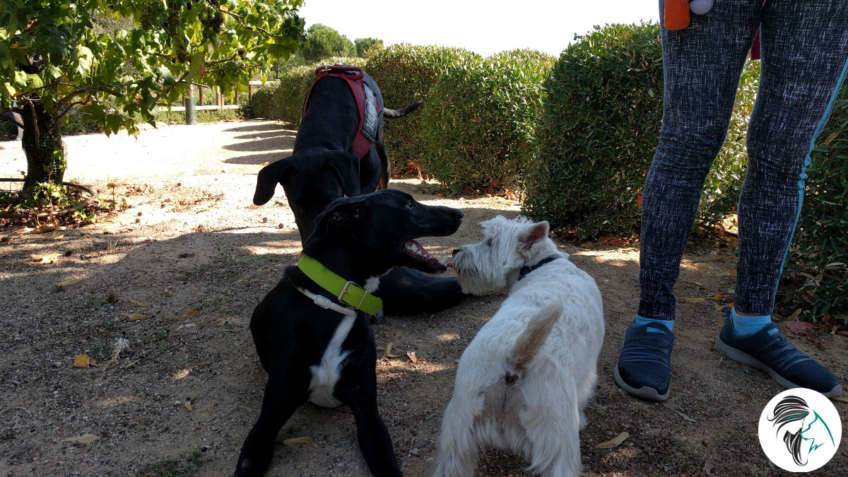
{"x": 805, "y": 60}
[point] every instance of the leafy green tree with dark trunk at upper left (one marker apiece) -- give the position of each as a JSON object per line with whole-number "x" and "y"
{"x": 118, "y": 60}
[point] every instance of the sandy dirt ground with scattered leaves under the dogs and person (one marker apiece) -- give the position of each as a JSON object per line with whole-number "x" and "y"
{"x": 178, "y": 273}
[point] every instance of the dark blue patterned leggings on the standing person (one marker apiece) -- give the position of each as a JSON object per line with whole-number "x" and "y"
{"x": 805, "y": 59}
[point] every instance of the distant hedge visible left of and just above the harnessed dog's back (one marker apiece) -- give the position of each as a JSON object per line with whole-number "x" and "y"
{"x": 284, "y": 100}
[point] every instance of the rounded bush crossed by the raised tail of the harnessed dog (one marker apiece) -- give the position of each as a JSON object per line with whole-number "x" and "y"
{"x": 406, "y": 74}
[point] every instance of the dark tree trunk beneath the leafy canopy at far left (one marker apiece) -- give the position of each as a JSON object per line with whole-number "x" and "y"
{"x": 42, "y": 143}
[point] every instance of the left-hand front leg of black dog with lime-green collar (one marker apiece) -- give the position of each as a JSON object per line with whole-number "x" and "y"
{"x": 279, "y": 403}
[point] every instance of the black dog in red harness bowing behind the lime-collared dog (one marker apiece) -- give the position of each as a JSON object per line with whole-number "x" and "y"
{"x": 339, "y": 152}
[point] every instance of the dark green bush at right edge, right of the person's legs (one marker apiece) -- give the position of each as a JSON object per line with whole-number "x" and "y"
{"x": 818, "y": 271}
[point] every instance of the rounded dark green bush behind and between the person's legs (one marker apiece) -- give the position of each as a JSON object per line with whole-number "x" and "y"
{"x": 600, "y": 129}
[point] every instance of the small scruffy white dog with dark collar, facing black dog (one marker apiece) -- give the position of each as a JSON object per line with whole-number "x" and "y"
{"x": 524, "y": 380}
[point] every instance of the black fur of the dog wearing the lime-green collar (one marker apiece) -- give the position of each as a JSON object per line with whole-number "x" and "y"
{"x": 357, "y": 238}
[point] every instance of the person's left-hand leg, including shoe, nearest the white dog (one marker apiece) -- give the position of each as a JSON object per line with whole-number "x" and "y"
{"x": 701, "y": 67}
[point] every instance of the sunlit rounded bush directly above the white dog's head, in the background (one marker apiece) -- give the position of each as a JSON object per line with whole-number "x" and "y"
{"x": 479, "y": 123}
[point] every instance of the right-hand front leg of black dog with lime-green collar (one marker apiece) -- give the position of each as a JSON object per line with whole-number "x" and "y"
{"x": 358, "y": 389}
